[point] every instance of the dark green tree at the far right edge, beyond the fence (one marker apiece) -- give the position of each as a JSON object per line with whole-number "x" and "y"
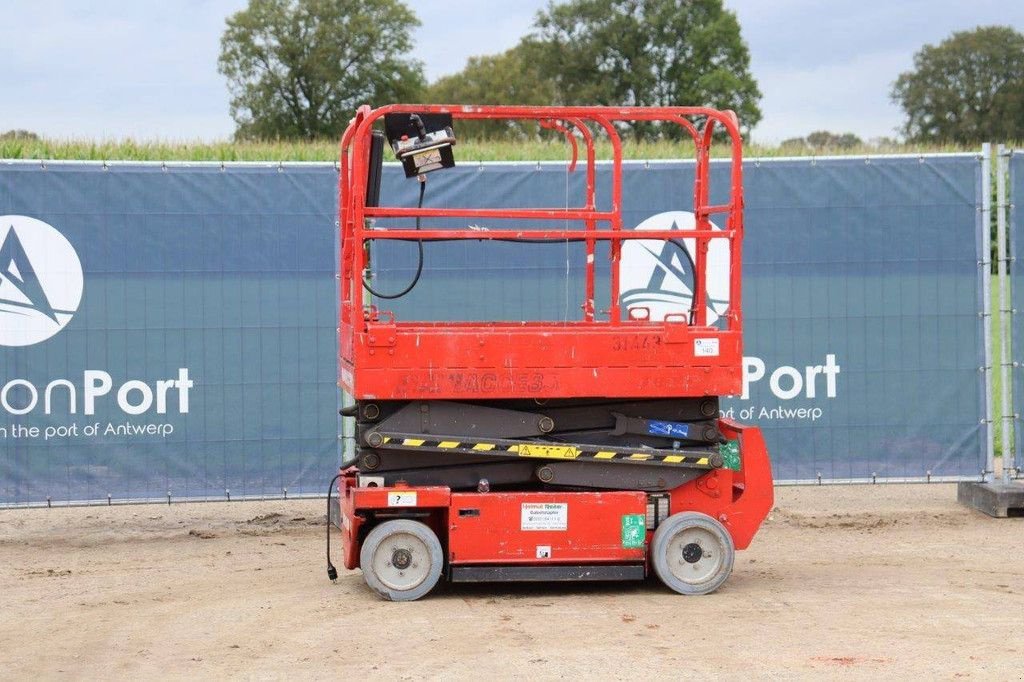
{"x": 967, "y": 90}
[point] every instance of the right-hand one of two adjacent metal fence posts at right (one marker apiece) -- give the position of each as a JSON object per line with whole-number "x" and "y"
{"x": 1006, "y": 310}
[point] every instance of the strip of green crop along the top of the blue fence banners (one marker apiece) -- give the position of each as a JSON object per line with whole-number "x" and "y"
{"x": 327, "y": 151}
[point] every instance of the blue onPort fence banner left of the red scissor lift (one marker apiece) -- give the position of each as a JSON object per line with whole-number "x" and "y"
{"x": 182, "y": 331}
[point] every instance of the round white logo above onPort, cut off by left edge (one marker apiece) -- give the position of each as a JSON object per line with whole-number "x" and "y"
{"x": 40, "y": 281}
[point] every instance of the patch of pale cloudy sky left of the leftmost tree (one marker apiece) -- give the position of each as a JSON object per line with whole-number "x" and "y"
{"x": 115, "y": 70}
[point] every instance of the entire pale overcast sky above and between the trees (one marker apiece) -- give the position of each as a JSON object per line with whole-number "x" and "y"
{"x": 148, "y": 69}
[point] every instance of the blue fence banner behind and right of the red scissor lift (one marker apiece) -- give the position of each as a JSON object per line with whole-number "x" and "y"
{"x": 862, "y": 295}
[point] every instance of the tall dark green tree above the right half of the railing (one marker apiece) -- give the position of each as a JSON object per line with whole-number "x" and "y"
{"x": 647, "y": 53}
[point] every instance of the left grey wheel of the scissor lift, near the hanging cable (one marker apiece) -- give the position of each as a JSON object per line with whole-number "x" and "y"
{"x": 402, "y": 561}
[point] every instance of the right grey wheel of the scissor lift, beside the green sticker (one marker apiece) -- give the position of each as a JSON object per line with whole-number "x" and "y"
{"x": 693, "y": 553}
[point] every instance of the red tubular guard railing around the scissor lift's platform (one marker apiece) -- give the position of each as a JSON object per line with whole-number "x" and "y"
{"x": 353, "y": 212}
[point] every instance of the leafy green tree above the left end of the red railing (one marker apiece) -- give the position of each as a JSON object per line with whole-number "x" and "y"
{"x": 301, "y": 68}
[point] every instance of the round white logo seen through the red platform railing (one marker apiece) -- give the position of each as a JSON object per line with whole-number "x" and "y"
{"x": 659, "y": 276}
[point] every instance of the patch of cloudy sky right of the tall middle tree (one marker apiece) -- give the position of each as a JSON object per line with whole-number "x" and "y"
{"x": 831, "y": 65}
